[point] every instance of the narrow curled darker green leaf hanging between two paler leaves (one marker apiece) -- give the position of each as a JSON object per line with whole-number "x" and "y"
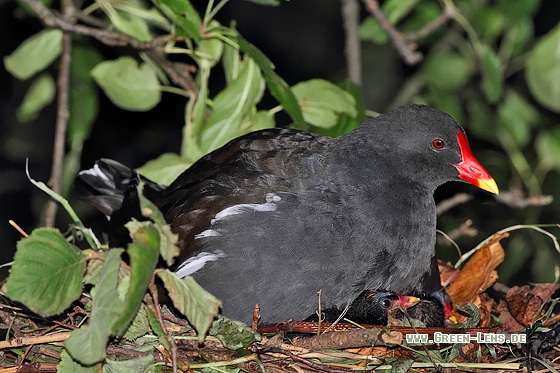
{"x": 143, "y": 253}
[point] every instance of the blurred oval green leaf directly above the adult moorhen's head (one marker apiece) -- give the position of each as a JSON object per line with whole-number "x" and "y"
{"x": 446, "y": 70}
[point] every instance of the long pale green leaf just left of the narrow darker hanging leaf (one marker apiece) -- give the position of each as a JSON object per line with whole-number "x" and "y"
{"x": 87, "y": 345}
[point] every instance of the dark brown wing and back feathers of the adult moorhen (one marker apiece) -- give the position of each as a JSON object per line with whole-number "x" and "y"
{"x": 243, "y": 171}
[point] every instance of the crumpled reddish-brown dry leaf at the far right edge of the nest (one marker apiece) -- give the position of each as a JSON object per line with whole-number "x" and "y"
{"x": 524, "y": 303}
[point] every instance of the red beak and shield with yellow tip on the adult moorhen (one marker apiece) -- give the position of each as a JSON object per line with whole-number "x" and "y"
{"x": 471, "y": 170}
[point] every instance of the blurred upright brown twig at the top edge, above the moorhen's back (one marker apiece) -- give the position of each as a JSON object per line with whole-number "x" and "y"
{"x": 352, "y": 51}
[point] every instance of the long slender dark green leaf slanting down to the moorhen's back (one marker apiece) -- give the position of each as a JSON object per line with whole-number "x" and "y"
{"x": 276, "y": 85}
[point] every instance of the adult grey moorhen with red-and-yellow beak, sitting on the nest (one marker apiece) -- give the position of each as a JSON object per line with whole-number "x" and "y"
{"x": 276, "y": 215}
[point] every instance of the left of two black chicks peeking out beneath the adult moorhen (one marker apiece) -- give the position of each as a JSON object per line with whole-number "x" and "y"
{"x": 370, "y": 307}
